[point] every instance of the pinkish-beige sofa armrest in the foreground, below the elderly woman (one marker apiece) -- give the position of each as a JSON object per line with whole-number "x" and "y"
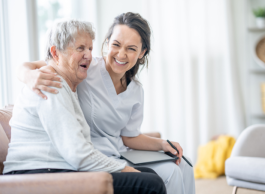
{"x": 58, "y": 183}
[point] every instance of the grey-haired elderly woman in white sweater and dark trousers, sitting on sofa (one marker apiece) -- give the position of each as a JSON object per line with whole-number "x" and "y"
{"x": 52, "y": 135}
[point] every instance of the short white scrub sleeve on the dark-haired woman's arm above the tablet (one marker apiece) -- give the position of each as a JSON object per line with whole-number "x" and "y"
{"x": 132, "y": 129}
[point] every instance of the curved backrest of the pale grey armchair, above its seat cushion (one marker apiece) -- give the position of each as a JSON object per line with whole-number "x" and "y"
{"x": 250, "y": 142}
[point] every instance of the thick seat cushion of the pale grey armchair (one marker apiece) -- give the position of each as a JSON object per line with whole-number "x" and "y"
{"x": 250, "y": 169}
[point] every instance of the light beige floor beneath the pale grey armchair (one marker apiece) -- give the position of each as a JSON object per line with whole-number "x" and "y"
{"x": 219, "y": 186}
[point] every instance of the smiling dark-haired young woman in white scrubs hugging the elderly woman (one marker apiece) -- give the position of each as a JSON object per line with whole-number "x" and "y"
{"x": 112, "y": 99}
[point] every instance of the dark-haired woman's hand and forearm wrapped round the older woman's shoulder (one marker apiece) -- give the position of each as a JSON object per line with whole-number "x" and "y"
{"x": 37, "y": 77}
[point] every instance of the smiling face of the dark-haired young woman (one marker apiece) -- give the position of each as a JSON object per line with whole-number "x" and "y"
{"x": 124, "y": 49}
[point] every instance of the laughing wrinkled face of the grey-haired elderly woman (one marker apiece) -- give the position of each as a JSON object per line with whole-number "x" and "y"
{"x": 77, "y": 58}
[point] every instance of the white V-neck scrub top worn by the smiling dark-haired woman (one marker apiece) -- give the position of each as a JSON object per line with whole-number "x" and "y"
{"x": 109, "y": 115}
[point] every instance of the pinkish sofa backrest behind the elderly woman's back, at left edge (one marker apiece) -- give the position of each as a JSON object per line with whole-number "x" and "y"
{"x": 5, "y": 116}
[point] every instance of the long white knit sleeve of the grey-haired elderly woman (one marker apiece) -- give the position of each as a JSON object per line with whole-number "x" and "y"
{"x": 57, "y": 116}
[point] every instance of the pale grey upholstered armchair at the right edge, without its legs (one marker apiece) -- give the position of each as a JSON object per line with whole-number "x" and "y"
{"x": 246, "y": 166}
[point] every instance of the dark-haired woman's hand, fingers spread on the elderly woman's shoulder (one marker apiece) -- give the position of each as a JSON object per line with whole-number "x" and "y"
{"x": 41, "y": 79}
